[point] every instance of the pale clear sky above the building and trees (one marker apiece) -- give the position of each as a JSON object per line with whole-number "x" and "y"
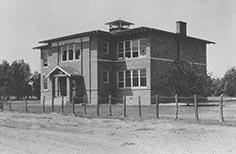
{"x": 23, "y": 23}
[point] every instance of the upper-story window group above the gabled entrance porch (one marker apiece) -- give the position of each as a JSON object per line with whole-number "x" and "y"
{"x": 70, "y": 52}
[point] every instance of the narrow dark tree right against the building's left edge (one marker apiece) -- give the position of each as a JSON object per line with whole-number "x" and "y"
{"x": 36, "y": 84}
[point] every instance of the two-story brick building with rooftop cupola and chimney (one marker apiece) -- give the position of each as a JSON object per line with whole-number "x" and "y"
{"x": 124, "y": 61}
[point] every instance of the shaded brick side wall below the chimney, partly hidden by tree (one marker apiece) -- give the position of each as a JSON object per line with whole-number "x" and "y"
{"x": 164, "y": 51}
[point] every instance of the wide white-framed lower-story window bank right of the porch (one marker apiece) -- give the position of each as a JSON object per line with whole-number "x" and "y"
{"x": 132, "y": 78}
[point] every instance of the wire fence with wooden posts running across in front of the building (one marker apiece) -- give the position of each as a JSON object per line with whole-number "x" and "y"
{"x": 174, "y": 107}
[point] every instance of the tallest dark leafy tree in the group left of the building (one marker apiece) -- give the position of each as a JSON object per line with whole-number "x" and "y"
{"x": 20, "y": 74}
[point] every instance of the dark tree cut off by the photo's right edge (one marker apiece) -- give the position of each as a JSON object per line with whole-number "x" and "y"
{"x": 229, "y": 82}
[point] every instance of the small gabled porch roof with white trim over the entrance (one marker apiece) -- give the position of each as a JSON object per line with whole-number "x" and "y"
{"x": 68, "y": 70}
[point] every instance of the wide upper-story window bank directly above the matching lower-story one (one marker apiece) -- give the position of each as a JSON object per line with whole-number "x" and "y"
{"x": 132, "y": 48}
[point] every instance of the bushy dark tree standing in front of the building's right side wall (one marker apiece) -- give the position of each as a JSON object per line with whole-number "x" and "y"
{"x": 187, "y": 79}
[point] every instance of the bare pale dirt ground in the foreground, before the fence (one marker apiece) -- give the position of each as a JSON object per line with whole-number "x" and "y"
{"x": 27, "y": 133}
